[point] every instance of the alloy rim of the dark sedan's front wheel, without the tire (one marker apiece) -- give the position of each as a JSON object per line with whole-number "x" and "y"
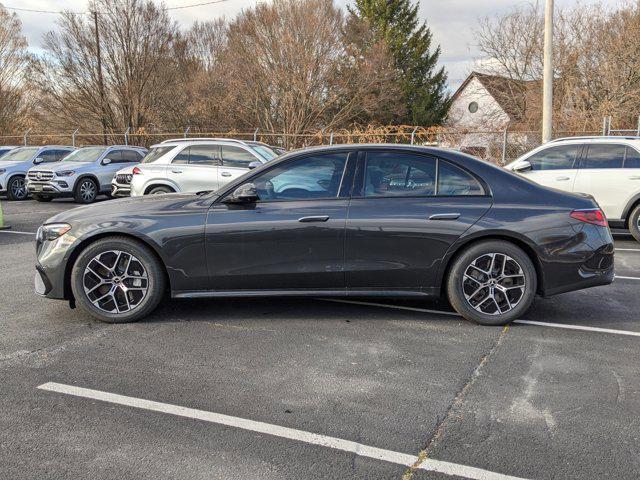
{"x": 115, "y": 281}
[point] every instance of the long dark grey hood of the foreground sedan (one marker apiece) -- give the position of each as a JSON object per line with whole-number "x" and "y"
{"x": 132, "y": 207}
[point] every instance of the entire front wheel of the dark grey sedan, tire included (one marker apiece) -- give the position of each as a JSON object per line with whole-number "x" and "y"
{"x": 118, "y": 279}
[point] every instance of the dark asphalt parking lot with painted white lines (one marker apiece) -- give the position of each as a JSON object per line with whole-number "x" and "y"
{"x": 316, "y": 388}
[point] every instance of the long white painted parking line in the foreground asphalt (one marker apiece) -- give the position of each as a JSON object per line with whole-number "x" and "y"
{"x": 404, "y": 459}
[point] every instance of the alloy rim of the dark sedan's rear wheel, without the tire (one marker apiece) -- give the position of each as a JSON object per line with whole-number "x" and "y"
{"x": 494, "y": 284}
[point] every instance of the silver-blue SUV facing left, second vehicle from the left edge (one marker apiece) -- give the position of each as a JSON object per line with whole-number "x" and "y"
{"x": 83, "y": 175}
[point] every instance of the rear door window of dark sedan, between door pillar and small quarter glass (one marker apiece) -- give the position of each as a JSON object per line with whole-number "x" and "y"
{"x": 394, "y": 174}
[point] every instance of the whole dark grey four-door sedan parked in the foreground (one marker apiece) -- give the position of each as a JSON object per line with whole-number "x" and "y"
{"x": 348, "y": 220}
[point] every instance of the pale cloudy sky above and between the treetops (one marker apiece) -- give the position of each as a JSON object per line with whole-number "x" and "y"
{"x": 451, "y": 21}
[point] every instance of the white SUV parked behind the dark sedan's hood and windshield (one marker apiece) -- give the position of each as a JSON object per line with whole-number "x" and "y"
{"x": 194, "y": 165}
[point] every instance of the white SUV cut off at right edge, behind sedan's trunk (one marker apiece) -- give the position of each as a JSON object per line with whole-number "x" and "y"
{"x": 606, "y": 167}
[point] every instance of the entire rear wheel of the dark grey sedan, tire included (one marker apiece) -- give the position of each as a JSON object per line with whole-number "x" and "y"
{"x": 508, "y": 305}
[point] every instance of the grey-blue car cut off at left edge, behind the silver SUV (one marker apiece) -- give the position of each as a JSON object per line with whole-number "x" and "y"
{"x": 15, "y": 164}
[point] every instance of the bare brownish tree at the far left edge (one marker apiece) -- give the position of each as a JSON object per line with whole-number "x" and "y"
{"x": 15, "y": 99}
